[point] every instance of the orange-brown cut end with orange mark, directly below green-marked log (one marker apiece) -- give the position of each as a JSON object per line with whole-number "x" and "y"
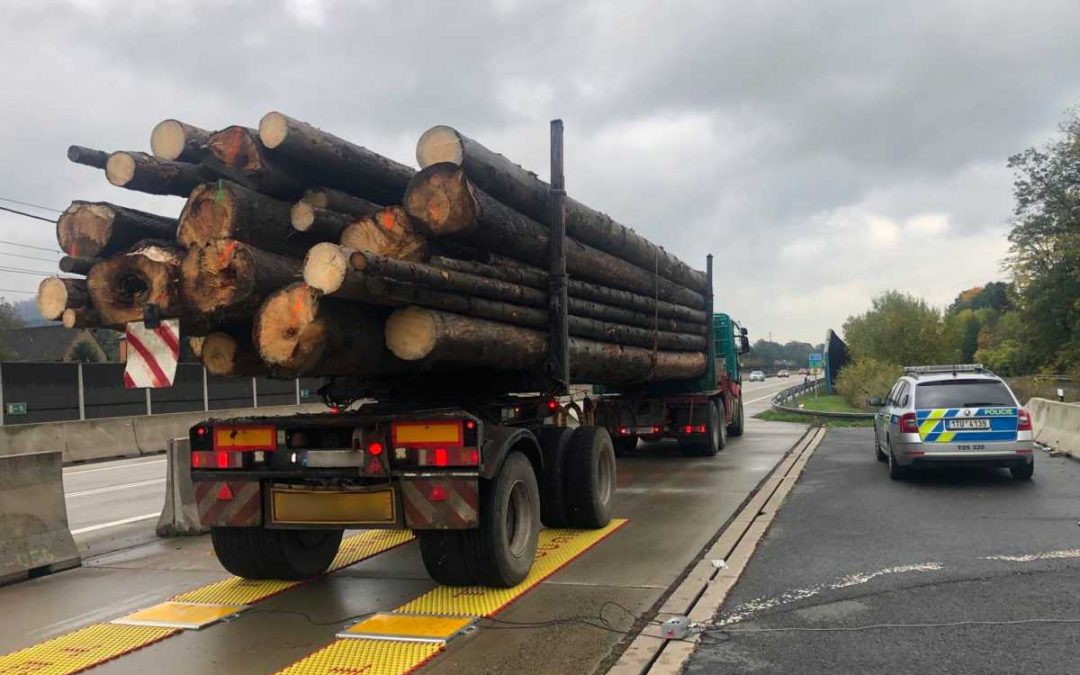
{"x": 215, "y": 276}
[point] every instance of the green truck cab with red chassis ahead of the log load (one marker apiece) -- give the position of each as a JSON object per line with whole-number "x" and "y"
{"x": 698, "y": 414}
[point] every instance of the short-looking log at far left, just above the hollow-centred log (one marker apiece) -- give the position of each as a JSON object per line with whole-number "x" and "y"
{"x": 100, "y": 229}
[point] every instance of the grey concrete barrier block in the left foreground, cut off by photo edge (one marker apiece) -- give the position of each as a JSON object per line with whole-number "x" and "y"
{"x": 35, "y": 537}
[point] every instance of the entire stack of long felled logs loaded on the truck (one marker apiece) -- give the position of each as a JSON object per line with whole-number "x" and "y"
{"x": 300, "y": 253}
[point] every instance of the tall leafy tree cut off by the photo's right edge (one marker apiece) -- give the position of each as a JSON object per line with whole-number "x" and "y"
{"x": 1045, "y": 245}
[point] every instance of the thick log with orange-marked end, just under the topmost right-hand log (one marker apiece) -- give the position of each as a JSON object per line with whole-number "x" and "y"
{"x": 447, "y": 205}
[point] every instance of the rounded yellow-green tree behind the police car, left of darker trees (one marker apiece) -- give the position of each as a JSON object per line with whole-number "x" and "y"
{"x": 901, "y": 330}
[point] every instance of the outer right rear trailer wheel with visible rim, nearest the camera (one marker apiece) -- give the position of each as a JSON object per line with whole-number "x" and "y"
{"x": 501, "y": 552}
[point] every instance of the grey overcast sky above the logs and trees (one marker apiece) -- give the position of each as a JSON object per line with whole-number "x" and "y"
{"x": 823, "y": 151}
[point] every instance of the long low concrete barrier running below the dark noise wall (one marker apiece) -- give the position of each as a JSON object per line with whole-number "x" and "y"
{"x": 119, "y": 437}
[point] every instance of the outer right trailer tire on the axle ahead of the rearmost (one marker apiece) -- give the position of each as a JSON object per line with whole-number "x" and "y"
{"x": 590, "y": 478}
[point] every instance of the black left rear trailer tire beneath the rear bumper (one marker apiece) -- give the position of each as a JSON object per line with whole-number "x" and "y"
{"x": 290, "y": 555}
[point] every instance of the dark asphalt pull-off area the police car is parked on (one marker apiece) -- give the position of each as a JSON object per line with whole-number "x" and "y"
{"x": 857, "y": 566}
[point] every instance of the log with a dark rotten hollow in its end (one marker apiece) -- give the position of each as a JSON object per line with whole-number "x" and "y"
{"x": 121, "y": 286}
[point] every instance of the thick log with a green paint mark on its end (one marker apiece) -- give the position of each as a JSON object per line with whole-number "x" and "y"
{"x": 225, "y": 210}
